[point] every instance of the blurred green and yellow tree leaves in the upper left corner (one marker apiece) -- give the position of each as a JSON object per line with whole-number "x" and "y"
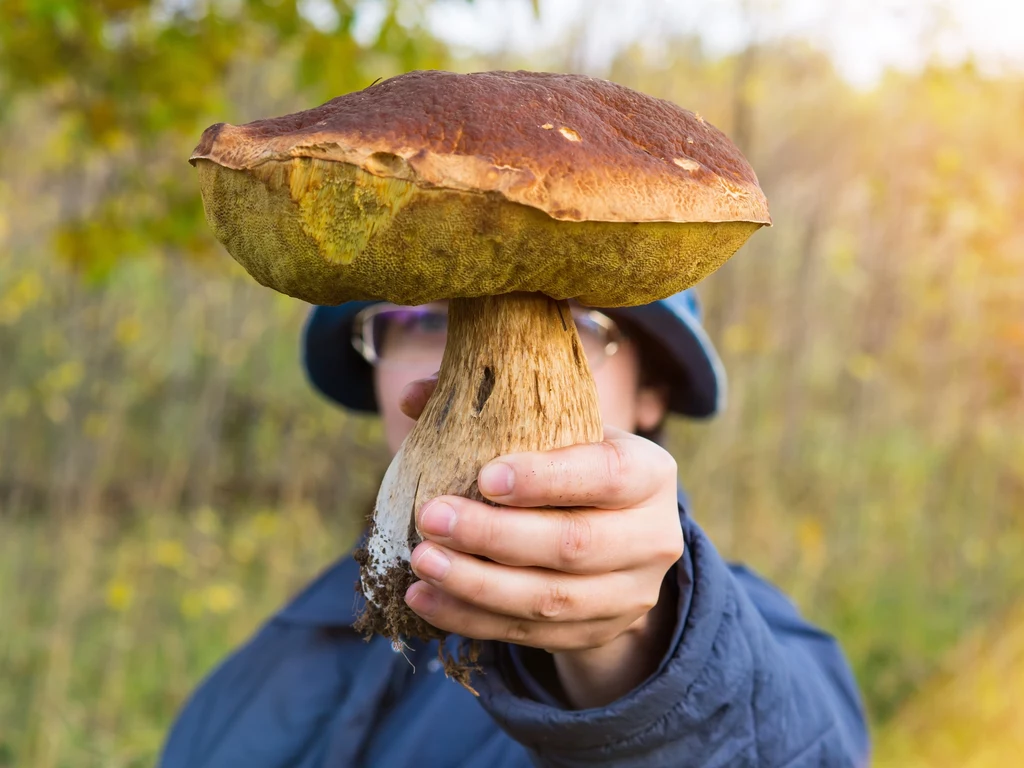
{"x": 129, "y": 87}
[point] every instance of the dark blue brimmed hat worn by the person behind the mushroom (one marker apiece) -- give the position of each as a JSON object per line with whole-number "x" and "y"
{"x": 692, "y": 366}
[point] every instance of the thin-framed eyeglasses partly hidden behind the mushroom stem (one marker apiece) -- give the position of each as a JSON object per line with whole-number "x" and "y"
{"x": 416, "y": 335}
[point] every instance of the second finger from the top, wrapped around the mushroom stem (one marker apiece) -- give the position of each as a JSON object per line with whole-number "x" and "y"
{"x": 572, "y": 541}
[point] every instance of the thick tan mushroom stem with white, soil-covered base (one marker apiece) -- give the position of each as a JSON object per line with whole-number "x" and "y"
{"x": 514, "y": 378}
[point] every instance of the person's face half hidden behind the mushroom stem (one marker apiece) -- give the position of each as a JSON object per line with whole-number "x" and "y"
{"x": 412, "y": 350}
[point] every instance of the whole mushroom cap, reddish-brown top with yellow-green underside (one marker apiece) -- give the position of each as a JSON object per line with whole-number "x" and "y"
{"x": 435, "y": 186}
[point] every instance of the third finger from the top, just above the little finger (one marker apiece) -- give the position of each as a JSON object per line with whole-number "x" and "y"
{"x": 534, "y": 594}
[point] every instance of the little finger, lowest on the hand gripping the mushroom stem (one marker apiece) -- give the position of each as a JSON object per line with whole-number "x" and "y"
{"x": 452, "y": 615}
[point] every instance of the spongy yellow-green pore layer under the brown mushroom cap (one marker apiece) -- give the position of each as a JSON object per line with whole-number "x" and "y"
{"x": 327, "y": 232}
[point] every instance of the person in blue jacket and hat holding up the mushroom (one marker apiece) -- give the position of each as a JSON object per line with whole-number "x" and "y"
{"x": 615, "y": 633}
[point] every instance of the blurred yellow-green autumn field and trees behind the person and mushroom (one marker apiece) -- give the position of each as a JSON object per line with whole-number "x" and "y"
{"x": 167, "y": 478}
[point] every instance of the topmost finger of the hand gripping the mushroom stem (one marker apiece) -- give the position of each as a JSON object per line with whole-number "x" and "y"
{"x": 621, "y": 472}
